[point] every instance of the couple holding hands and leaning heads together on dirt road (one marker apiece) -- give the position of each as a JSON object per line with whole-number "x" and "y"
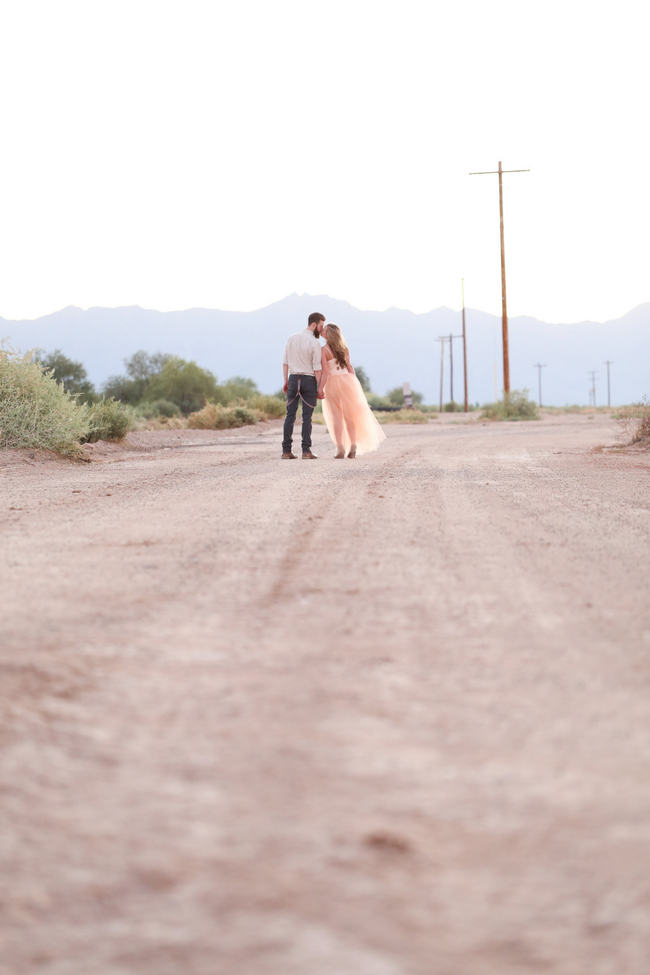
{"x": 312, "y": 372}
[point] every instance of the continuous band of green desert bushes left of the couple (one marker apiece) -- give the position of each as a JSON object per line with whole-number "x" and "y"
{"x": 47, "y": 400}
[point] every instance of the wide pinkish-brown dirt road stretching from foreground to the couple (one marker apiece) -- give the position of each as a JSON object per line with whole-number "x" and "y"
{"x": 383, "y": 717}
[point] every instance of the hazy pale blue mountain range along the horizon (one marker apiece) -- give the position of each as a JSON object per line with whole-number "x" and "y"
{"x": 393, "y": 346}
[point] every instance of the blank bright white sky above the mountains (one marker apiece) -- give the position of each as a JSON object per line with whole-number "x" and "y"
{"x": 225, "y": 153}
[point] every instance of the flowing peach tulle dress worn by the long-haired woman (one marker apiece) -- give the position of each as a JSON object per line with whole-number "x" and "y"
{"x": 348, "y": 417}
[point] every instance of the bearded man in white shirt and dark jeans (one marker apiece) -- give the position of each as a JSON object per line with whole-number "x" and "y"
{"x": 301, "y": 368}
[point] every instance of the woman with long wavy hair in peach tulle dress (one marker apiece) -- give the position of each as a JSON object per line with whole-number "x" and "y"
{"x": 350, "y": 422}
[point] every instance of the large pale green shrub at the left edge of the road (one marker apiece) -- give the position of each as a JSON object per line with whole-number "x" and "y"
{"x": 36, "y": 410}
